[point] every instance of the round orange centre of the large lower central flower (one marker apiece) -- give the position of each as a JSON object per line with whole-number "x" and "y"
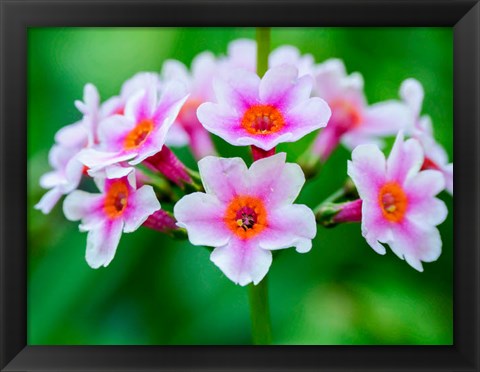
{"x": 246, "y": 216}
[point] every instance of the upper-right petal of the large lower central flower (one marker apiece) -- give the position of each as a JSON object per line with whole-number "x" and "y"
{"x": 274, "y": 181}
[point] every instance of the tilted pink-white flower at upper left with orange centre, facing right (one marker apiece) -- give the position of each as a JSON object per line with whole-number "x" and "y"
{"x": 138, "y": 134}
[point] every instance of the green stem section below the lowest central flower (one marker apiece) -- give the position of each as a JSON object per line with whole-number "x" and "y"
{"x": 260, "y": 313}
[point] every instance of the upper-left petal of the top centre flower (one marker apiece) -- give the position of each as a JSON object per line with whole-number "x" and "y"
{"x": 237, "y": 90}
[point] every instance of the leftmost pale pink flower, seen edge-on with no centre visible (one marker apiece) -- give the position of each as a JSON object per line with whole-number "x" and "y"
{"x": 63, "y": 156}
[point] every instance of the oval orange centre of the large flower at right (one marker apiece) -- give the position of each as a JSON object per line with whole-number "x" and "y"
{"x": 393, "y": 201}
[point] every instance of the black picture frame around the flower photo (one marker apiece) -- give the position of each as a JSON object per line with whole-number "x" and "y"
{"x": 17, "y": 16}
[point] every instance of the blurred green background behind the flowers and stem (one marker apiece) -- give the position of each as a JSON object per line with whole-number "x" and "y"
{"x": 159, "y": 291}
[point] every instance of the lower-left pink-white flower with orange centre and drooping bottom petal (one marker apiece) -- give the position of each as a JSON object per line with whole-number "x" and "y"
{"x": 120, "y": 207}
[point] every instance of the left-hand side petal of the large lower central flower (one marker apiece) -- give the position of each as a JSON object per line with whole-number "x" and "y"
{"x": 202, "y": 215}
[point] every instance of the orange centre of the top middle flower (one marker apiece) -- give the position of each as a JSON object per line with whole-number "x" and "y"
{"x": 262, "y": 119}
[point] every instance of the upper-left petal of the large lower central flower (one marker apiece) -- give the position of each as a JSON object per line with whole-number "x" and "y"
{"x": 223, "y": 177}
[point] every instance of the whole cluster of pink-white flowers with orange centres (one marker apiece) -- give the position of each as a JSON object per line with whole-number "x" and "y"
{"x": 124, "y": 145}
